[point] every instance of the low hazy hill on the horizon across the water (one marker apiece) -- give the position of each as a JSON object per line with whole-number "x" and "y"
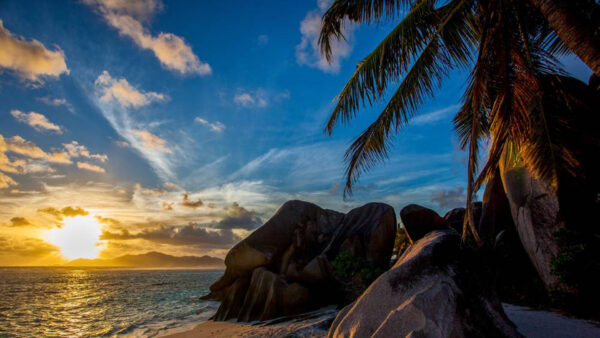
{"x": 152, "y": 260}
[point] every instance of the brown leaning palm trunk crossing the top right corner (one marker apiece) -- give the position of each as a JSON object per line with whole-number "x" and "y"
{"x": 574, "y": 30}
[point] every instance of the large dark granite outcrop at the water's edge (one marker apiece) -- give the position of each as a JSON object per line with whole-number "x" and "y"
{"x": 287, "y": 267}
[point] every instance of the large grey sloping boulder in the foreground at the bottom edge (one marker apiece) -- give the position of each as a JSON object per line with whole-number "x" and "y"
{"x": 434, "y": 290}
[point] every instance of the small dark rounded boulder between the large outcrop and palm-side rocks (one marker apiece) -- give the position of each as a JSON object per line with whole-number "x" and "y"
{"x": 419, "y": 221}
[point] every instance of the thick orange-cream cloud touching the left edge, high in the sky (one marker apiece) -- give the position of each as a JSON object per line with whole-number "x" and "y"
{"x": 30, "y": 60}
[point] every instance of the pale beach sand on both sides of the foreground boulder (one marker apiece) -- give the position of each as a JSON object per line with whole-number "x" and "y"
{"x": 531, "y": 323}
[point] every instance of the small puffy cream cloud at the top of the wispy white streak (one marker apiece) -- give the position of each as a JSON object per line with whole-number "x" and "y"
{"x": 111, "y": 89}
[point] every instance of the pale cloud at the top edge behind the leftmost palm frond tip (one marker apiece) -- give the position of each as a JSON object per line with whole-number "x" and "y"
{"x": 308, "y": 52}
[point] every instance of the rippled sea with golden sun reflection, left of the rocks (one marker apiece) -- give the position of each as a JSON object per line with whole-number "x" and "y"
{"x": 99, "y": 302}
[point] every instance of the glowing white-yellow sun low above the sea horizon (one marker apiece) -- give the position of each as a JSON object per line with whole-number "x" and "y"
{"x": 78, "y": 238}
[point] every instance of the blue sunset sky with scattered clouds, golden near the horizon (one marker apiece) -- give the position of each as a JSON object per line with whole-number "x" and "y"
{"x": 181, "y": 126}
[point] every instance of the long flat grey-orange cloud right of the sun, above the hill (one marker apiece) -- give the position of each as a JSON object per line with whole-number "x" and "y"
{"x": 191, "y": 234}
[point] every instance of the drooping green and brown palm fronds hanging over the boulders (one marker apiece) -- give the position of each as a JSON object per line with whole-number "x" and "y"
{"x": 508, "y": 47}
